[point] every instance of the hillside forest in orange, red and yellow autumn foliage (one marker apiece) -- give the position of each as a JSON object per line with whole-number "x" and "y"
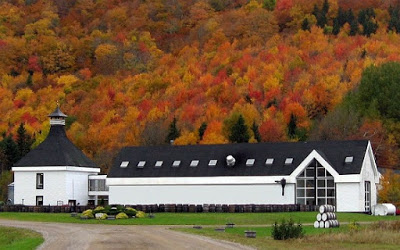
{"x": 199, "y": 72}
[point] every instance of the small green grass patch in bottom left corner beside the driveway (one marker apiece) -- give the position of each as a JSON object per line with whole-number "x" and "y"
{"x": 18, "y": 238}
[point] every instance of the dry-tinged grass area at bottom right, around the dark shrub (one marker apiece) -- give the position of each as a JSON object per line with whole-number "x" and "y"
{"x": 373, "y": 236}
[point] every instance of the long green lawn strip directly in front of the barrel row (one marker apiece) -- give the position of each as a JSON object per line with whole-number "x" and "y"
{"x": 197, "y": 218}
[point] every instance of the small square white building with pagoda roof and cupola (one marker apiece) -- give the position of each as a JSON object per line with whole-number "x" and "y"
{"x": 54, "y": 173}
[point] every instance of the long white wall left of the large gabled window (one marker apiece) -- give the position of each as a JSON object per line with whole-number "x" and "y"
{"x": 202, "y": 194}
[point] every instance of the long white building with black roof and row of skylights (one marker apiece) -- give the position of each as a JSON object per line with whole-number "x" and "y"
{"x": 341, "y": 173}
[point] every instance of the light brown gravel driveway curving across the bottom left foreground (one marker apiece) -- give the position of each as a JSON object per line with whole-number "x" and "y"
{"x": 88, "y": 236}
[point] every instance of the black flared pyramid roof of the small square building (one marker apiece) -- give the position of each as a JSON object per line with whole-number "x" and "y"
{"x": 56, "y": 150}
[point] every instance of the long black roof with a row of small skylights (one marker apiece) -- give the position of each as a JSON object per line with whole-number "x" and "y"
{"x": 334, "y": 152}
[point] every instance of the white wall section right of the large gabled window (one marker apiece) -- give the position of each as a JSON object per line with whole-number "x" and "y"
{"x": 348, "y": 199}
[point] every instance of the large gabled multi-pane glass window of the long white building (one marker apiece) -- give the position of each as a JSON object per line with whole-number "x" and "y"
{"x": 315, "y": 186}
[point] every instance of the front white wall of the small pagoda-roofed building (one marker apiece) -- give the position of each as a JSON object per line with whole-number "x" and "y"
{"x": 53, "y": 188}
